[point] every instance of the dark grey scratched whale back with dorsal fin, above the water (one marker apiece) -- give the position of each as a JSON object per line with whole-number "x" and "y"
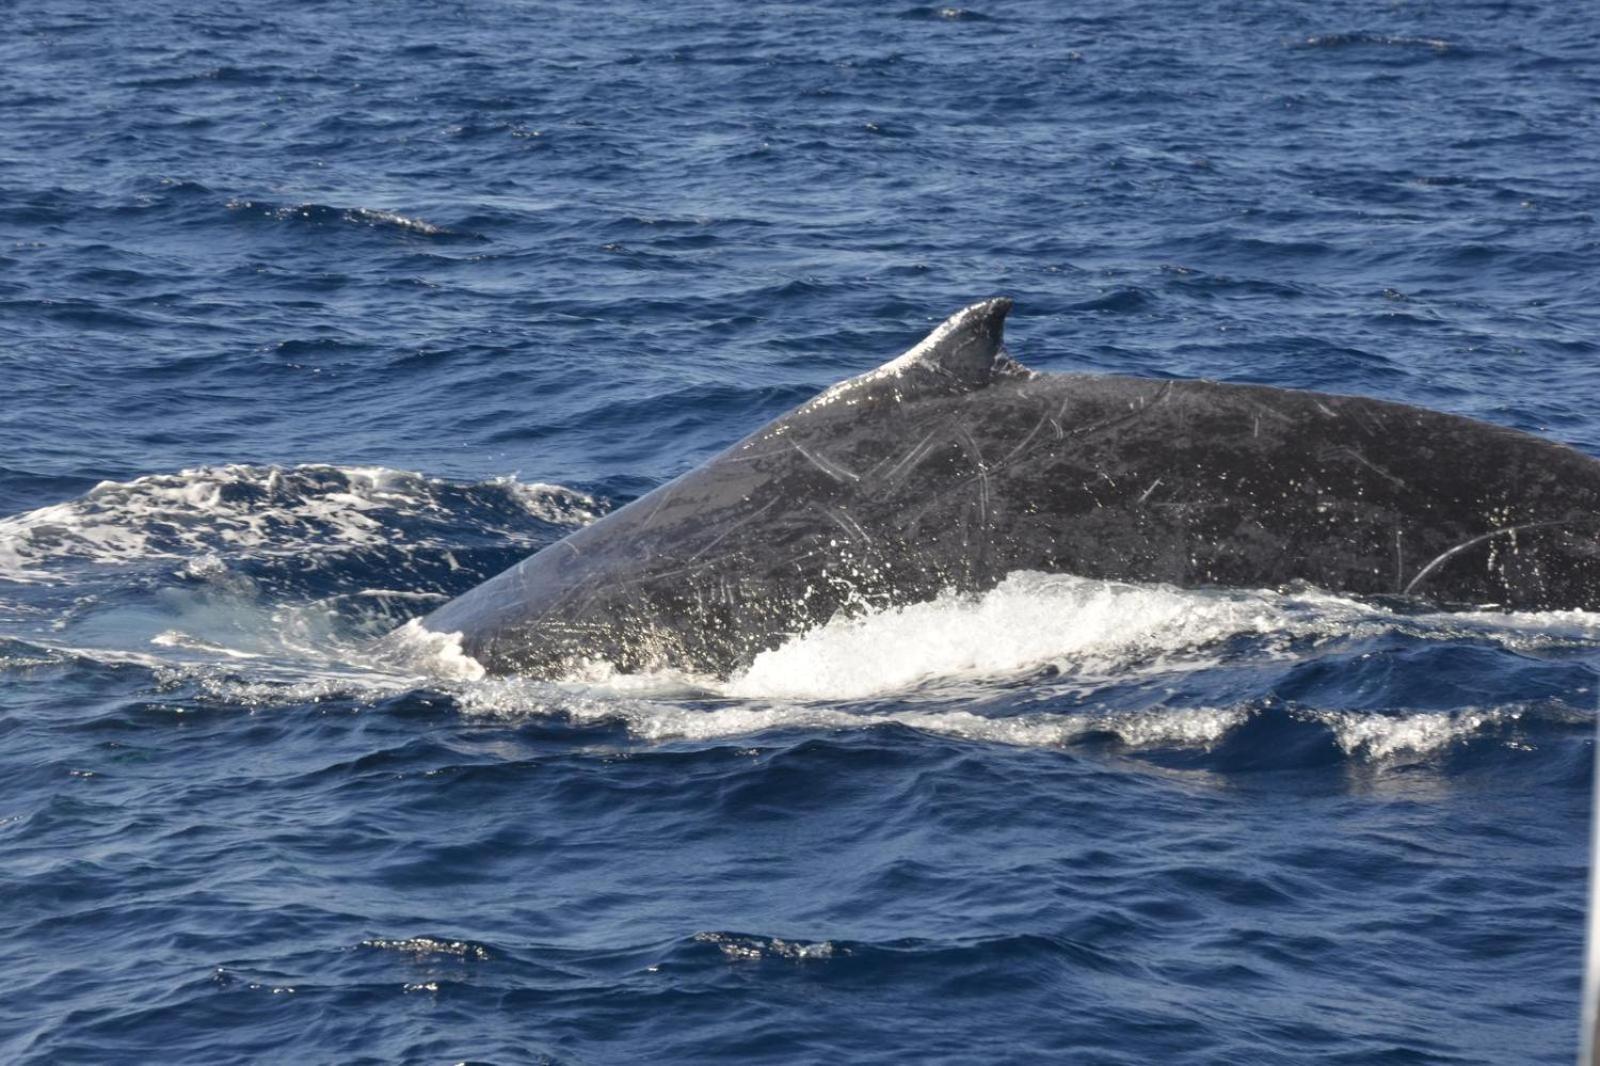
{"x": 954, "y": 465}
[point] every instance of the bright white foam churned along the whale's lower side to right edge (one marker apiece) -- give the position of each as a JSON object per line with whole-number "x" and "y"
{"x": 932, "y": 655}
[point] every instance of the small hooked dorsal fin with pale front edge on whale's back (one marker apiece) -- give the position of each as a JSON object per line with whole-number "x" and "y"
{"x": 962, "y": 355}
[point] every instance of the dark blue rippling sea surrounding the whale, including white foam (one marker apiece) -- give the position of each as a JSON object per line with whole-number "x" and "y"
{"x": 316, "y": 315}
